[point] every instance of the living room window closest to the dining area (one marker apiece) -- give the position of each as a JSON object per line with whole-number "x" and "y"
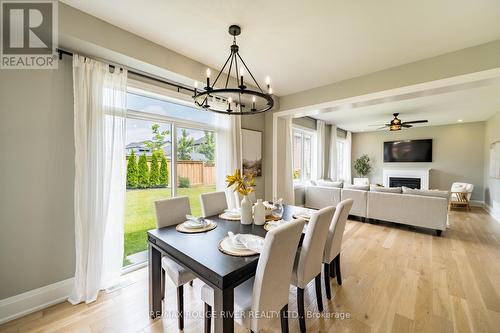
{"x": 303, "y": 142}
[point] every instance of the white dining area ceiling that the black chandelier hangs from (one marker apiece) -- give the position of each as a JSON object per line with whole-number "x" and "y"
{"x": 305, "y": 44}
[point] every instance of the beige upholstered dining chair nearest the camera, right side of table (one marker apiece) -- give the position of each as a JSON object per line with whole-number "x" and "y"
{"x": 267, "y": 291}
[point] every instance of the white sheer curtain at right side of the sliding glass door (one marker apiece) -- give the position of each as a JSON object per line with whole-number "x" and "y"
{"x": 228, "y": 152}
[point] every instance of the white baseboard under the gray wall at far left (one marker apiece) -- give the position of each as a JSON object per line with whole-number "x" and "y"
{"x": 34, "y": 300}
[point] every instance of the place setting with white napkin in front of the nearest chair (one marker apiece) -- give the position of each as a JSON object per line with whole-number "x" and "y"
{"x": 241, "y": 245}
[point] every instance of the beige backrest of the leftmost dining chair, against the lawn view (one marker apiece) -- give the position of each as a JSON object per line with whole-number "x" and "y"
{"x": 171, "y": 211}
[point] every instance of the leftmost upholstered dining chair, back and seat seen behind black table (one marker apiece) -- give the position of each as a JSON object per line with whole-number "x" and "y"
{"x": 171, "y": 212}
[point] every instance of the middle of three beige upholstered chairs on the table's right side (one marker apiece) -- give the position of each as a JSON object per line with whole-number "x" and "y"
{"x": 308, "y": 260}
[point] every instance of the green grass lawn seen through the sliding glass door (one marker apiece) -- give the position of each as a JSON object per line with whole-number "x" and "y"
{"x": 140, "y": 214}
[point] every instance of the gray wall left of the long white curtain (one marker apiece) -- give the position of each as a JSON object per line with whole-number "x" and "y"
{"x": 37, "y": 172}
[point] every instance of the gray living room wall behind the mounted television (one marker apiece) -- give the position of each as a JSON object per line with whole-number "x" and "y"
{"x": 458, "y": 153}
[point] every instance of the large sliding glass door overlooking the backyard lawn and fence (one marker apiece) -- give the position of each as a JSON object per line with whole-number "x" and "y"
{"x": 153, "y": 173}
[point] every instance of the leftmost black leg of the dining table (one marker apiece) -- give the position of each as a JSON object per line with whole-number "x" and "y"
{"x": 154, "y": 282}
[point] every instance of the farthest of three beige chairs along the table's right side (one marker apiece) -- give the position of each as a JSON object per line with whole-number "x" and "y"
{"x": 334, "y": 243}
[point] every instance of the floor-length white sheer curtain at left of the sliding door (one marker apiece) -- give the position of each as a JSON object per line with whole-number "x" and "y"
{"x": 99, "y": 125}
